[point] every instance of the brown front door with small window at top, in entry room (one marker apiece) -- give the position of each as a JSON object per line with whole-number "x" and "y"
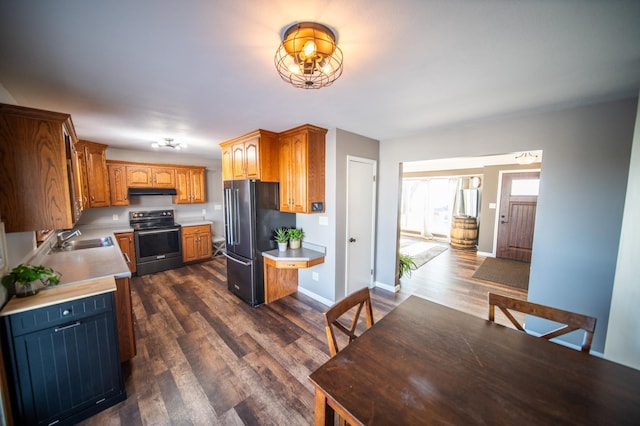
{"x": 518, "y": 203}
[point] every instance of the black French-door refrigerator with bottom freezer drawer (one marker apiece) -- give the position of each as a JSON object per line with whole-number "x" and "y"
{"x": 251, "y": 214}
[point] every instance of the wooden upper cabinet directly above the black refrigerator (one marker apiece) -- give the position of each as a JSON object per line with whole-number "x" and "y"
{"x": 251, "y": 156}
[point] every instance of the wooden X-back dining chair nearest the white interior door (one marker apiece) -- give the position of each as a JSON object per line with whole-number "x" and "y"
{"x": 359, "y": 298}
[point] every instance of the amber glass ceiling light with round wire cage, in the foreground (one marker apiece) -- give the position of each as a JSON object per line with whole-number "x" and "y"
{"x": 308, "y": 57}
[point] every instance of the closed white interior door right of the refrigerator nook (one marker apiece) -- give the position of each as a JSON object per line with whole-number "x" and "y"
{"x": 361, "y": 200}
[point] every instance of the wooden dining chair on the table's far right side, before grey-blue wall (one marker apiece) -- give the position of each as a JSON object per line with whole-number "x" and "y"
{"x": 571, "y": 321}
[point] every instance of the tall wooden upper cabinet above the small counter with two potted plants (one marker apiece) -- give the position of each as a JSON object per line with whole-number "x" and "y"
{"x": 302, "y": 169}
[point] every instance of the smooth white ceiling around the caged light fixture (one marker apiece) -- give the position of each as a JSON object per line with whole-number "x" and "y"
{"x": 201, "y": 71}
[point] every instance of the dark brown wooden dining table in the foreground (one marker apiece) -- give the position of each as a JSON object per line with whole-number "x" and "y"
{"x": 425, "y": 363}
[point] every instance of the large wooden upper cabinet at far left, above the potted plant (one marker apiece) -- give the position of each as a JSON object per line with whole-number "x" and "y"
{"x": 38, "y": 189}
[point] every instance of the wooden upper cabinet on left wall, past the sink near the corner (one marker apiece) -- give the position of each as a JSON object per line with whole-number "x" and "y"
{"x": 95, "y": 176}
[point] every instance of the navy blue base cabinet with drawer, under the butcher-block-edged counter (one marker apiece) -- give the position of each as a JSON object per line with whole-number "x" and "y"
{"x": 63, "y": 362}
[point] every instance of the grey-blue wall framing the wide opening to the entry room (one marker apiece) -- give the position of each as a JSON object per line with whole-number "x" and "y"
{"x": 583, "y": 187}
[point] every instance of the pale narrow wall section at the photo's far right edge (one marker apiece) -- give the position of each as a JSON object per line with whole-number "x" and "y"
{"x": 623, "y": 336}
